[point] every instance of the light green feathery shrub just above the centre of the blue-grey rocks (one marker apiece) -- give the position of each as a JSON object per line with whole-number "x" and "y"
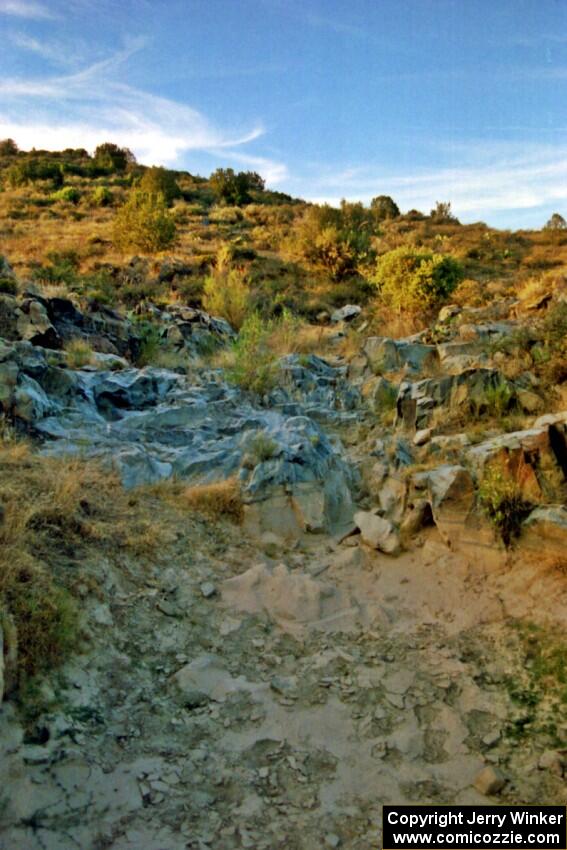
{"x": 255, "y": 364}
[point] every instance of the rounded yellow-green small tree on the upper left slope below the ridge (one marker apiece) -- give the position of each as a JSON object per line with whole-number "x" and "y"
{"x": 143, "y": 224}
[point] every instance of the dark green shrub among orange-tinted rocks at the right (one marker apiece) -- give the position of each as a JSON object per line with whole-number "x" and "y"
{"x": 502, "y": 502}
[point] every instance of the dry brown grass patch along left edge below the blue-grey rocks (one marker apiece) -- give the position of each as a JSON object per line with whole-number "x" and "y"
{"x": 54, "y": 511}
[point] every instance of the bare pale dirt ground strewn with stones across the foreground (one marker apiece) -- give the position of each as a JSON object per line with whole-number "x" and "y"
{"x": 233, "y": 700}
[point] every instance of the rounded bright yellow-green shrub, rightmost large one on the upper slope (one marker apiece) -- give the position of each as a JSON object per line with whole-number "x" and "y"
{"x": 416, "y": 282}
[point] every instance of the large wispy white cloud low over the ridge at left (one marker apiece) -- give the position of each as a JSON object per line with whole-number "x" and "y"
{"x": 90, "y": 106}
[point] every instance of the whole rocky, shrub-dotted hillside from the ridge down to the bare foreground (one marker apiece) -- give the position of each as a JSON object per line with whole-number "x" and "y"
{"x": 283, "y": 510}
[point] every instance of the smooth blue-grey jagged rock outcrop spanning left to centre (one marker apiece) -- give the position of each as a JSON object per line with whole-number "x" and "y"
{"x": 153, "y": 424}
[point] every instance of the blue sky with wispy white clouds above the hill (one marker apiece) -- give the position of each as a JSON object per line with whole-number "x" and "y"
{"x": 424, "y": 100}
